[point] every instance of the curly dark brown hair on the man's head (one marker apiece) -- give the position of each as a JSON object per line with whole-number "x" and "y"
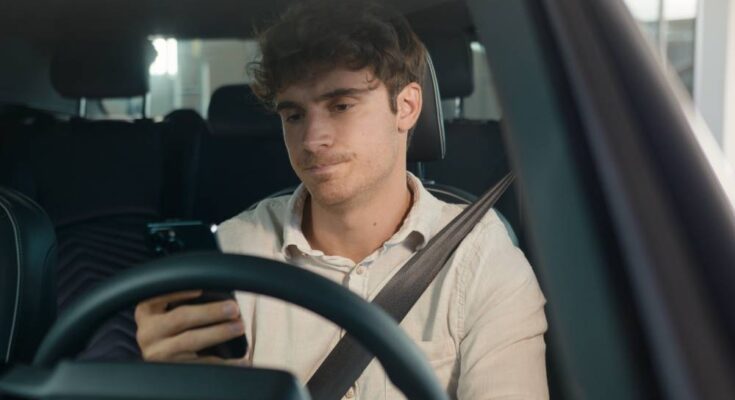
{"x": 315, "y": 36}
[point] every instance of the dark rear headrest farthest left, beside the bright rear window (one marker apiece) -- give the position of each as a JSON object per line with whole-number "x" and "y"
{"x": 102, "y": 69}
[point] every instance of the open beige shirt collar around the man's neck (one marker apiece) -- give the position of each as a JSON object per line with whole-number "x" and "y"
{"x": 421, "y": 220}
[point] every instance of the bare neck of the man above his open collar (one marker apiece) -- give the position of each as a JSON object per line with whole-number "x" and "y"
{"x": 356, "y": 230}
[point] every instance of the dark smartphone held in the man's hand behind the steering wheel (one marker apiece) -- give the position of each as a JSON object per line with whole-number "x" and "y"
{"x": 171, "y": 237}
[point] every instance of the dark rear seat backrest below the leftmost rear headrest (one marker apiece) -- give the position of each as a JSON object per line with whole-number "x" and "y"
{"x": 100, "y": 183}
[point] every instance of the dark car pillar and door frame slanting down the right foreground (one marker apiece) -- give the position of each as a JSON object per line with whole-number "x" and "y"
{"x": 630, "y": 224}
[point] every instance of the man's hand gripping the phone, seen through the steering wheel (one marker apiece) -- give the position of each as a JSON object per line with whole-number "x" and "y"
{"x": 177, "y": 335}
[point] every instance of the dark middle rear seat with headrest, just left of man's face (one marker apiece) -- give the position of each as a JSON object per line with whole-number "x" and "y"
{"x": 242, "y": 164}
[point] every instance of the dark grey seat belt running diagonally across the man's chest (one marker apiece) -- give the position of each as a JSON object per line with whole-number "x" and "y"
{"x": 348, "y": 359}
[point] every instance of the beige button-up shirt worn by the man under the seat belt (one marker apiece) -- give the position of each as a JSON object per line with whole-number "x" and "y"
{"x": 480, "y": 323}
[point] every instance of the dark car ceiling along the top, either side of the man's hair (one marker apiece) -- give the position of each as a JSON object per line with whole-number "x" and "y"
{"x": 60, "y": 20}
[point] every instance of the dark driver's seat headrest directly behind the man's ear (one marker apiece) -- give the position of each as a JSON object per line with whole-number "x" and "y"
{"x": 427, "y": 142}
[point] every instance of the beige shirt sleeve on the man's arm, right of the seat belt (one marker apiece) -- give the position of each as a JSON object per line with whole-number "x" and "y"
{"x": 502, "y": 349}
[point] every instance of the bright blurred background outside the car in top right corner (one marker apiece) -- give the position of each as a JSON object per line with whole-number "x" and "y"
{"x": 697, "y": 38}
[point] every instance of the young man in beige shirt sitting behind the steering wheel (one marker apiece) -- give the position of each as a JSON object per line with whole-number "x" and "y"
{"x": 344, "y": 77}
